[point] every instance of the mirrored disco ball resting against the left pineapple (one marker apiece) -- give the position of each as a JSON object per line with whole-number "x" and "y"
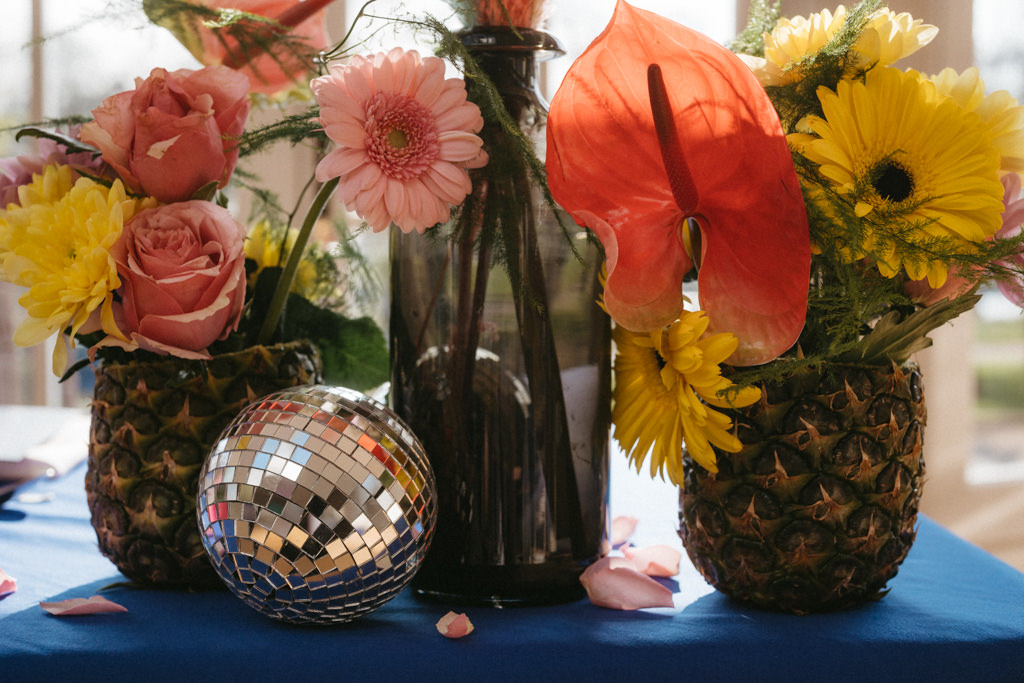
{"x": 317, "y": 505}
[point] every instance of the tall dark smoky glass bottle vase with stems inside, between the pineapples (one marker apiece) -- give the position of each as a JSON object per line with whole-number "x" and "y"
{"x": 501, "y": 366}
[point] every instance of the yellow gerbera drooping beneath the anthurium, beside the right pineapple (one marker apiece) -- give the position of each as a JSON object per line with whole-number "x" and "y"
{"x": 667, "y": 382}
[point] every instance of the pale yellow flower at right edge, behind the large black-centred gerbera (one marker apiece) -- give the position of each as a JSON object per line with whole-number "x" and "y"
{"x": 1000, "y": 111}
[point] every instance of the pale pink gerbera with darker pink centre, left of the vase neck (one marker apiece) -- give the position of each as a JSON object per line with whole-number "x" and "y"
{"x": 405, "y": 138}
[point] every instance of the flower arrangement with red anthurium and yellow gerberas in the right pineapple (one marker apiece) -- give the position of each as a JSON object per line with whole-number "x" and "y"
{"x": 830, "y": 205}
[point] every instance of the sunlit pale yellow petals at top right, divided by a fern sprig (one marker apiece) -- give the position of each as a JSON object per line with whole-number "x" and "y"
{"x": 887, "y": 38}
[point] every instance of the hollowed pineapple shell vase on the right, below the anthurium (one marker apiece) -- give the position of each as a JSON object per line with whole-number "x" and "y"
{"x": 818, "y": 510}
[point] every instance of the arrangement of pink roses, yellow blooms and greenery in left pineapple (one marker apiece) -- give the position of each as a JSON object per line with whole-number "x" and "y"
{"x": 119, "y": 233}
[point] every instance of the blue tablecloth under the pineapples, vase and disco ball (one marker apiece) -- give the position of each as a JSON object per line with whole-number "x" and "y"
{"x": 955, "y": 614}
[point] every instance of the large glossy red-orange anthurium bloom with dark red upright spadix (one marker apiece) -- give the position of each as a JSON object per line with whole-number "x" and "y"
{"x": 666, "y": 146}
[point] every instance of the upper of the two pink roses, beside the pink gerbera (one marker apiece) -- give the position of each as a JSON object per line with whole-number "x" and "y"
{"x": 176, "y": 134}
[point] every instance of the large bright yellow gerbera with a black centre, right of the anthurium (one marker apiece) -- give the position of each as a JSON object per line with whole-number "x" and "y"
{"x": 916, "y": 160}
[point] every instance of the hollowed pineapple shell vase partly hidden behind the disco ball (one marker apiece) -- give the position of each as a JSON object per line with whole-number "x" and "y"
{"x": 153, "y": 425}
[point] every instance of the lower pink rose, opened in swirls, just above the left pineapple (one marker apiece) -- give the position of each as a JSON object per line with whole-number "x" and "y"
{"x": 184, "y": 279}
